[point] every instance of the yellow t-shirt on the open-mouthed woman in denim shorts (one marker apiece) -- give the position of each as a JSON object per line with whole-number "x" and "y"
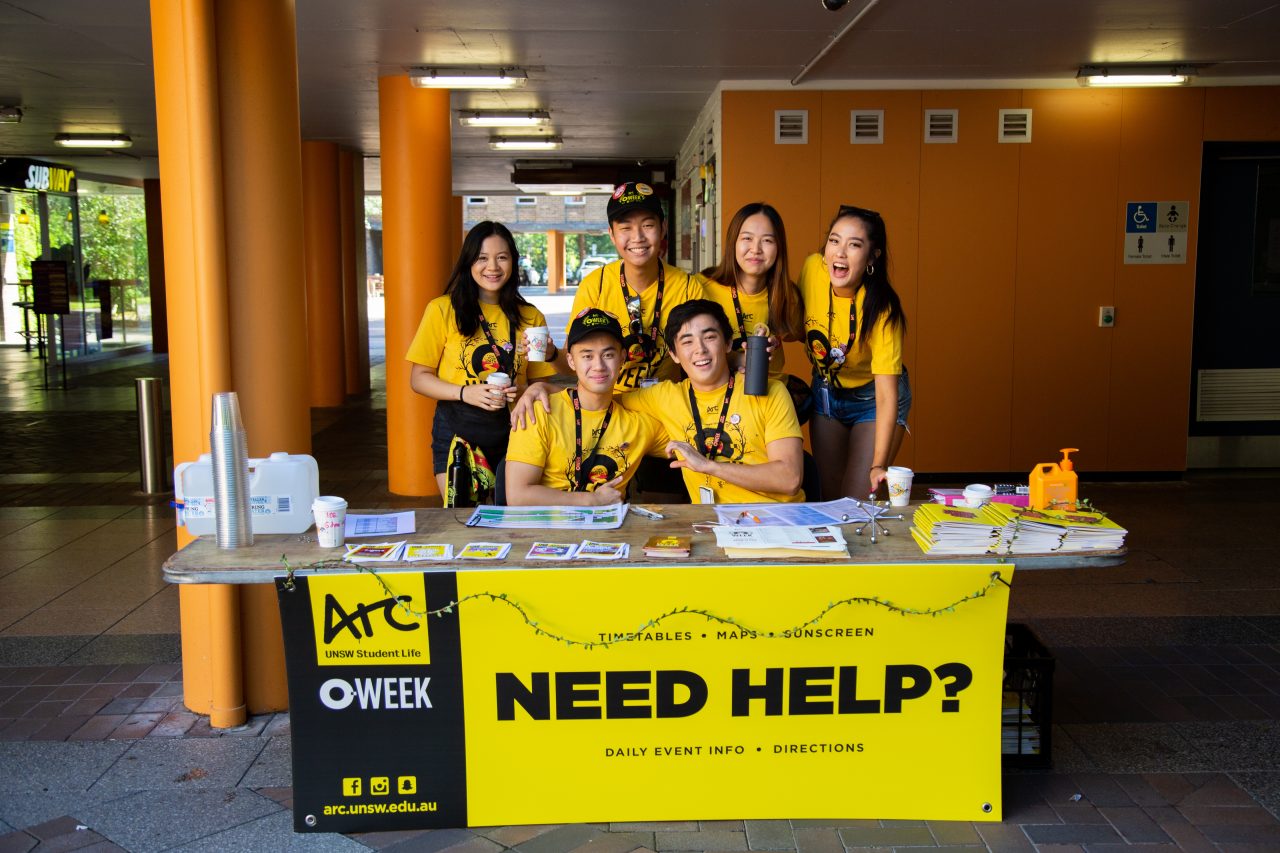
{"x": 826, "y": 325}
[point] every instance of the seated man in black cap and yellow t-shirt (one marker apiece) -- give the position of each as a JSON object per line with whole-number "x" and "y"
{"x": 588, "y": 449}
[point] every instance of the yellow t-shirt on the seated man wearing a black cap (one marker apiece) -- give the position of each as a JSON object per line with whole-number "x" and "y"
{"x": 550, "y": 445}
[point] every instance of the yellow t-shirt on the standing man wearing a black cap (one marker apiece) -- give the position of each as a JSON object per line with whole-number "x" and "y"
{"x": 604, "y": 290}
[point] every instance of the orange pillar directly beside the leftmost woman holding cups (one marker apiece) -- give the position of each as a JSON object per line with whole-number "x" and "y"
{"x": 418, "y": 193}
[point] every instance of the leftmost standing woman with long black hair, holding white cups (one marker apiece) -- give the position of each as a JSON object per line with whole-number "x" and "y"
{"x": 470, "y": 334}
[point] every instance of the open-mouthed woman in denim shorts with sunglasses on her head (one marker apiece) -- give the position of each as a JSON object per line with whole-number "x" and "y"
{"x": 854, "y": 327}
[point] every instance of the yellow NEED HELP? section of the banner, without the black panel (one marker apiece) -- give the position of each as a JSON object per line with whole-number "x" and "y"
{"x": 851, "y": 709}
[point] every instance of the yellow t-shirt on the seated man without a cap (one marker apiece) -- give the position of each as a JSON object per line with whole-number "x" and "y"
{"x": 752, "y": 423}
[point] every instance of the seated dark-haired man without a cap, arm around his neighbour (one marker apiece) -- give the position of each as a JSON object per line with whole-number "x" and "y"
{"x": 740, "y": 449}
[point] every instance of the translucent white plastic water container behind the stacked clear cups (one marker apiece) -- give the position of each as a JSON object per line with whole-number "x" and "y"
{"x": 282, "y": 489}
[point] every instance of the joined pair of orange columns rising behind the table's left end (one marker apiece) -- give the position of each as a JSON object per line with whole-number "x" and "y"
{"x": 227, "y": 112}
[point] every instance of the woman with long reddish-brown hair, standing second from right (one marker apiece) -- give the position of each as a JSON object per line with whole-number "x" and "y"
{"x": 752, "y": 282}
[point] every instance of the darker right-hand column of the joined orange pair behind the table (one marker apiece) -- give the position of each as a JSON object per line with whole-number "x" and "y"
{"x": 258, "y": 66}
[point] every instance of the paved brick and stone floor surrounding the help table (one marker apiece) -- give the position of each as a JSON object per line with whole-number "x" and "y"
{"x": 1167, "y": 695}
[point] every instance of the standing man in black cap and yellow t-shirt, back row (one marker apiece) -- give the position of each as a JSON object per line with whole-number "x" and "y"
{"x": 639, "y": 289}
